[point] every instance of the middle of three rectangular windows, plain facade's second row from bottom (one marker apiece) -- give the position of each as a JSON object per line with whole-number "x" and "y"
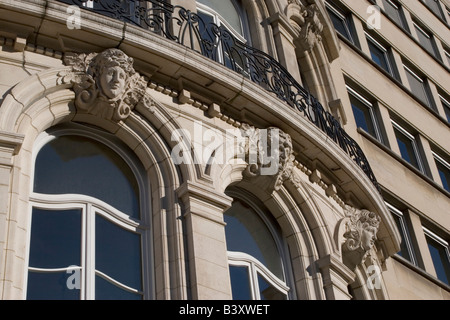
{"x": 408, "y": 146}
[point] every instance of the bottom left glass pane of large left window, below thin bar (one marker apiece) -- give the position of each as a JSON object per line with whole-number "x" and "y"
{"x": 50, "y": 286}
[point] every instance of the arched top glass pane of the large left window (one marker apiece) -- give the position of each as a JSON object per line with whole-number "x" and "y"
{"x": 74, "y": 164}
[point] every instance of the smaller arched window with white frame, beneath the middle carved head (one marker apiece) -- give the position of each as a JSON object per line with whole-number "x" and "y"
{"x": 255, "y": 253}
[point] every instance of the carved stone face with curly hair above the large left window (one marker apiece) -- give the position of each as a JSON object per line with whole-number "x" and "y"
{"x": 106, "y": 84}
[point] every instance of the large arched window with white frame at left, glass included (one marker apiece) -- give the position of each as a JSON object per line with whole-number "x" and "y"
{"x": 88, "y": 236}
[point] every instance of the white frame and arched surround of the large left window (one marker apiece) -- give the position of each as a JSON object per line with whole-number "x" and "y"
{"x": 90, "y": 207}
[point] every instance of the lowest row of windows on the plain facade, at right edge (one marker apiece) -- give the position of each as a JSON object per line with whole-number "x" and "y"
{"x": 438, "y": 247}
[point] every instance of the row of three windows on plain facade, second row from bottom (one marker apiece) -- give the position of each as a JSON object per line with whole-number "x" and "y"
{"x": 367, "y": 117}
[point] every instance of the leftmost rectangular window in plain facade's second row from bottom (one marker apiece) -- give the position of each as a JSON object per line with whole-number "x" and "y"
{"x": 364, "y": 113}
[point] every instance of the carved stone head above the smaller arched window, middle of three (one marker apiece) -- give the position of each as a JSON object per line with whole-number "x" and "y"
{"x": 269, "y": 153}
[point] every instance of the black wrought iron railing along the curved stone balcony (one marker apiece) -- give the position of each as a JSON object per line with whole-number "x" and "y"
{"x": 217, "y": 43}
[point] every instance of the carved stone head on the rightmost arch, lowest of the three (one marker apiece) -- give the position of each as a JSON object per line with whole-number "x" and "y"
{"x": 361, "y": 228}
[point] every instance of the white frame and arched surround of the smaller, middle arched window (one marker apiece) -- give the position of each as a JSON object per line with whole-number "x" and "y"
{"x": 255, "y": 266}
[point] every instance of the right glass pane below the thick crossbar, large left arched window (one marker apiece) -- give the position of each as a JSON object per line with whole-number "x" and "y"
{"x": 118, "y": 253}
